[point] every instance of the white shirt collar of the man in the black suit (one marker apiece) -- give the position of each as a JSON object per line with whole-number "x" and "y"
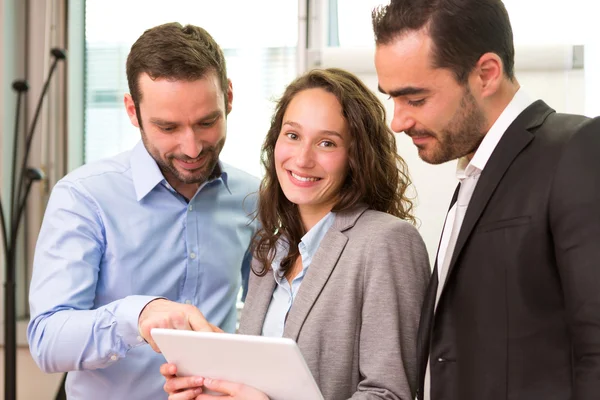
{"x": 520, "y": 101}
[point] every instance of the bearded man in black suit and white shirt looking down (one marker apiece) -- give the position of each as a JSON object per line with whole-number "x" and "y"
{"x": 513, "y": 307}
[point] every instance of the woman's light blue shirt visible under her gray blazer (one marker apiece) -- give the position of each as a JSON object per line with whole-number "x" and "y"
{"x": 285, "y": 293}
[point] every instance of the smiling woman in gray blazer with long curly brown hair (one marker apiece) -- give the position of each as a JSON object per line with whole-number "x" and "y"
{"x": 338, "y": 266}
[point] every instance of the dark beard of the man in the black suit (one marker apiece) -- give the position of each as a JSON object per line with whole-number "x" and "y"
{"x": 461, "y": 136}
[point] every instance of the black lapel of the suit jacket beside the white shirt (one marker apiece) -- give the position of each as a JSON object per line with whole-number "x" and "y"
{"x": 514, "y": 140}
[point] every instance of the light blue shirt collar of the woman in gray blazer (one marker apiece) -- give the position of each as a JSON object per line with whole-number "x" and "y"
{"x": 308, "y": 244}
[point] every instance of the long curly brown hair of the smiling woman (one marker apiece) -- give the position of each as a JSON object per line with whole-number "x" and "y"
{"x": 377, "y": 175}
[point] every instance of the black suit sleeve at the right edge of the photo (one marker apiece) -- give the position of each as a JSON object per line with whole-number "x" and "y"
{"x": 575, "y": 227}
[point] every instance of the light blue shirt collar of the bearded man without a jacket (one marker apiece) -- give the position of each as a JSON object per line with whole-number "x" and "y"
{"x": 147, "y": 175}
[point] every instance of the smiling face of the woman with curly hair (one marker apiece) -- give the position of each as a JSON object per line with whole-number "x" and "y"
{"x": 311, "y": 153}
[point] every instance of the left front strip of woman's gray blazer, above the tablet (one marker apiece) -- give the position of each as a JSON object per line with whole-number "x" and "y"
{"x": 257, "y": 303}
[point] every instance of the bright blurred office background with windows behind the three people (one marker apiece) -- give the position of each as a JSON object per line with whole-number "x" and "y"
{"x": 266, "y": 43}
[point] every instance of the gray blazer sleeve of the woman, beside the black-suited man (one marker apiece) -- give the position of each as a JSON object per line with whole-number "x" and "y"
{"x": 395, "y": 279}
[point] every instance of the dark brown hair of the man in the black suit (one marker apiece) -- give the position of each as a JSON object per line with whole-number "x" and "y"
{"x": 461, "y": 31}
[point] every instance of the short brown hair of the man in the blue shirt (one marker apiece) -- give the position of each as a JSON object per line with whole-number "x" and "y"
{"x": 175, "y": 52}
